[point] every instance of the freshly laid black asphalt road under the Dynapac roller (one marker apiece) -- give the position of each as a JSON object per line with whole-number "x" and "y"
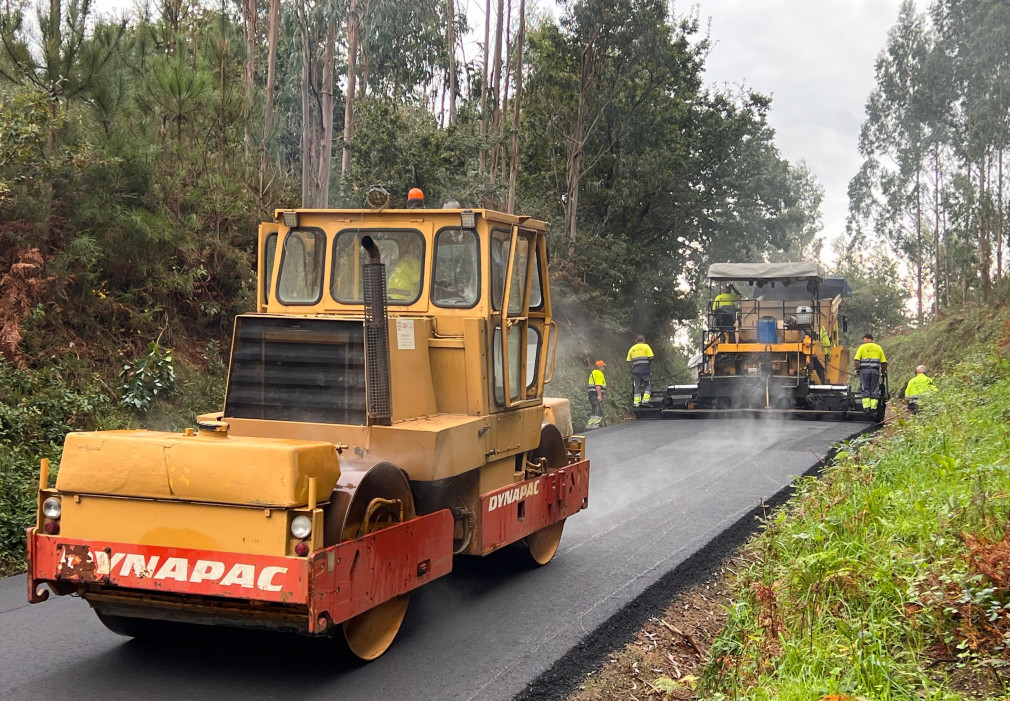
{"x": 660, "y": 492}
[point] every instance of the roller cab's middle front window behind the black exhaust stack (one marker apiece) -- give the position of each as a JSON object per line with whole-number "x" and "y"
{"x": 401, "y": 251}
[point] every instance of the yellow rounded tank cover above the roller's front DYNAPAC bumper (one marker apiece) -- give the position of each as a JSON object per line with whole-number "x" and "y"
{"x": 230, "y": 470}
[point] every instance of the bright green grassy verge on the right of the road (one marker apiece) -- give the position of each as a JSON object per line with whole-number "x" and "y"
{"x": 882, "y": 580}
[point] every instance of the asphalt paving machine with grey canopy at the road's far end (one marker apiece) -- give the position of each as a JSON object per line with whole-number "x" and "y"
{"x": 771, "y": 346}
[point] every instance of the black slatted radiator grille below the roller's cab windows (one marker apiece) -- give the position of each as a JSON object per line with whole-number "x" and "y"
{"x": 297, "y": 370}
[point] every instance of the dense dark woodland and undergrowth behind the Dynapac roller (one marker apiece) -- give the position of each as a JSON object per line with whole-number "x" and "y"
{"x": 138, "y": 155}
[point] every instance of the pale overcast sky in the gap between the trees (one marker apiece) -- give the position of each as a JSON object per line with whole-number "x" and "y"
{"x": 816, "y": 58}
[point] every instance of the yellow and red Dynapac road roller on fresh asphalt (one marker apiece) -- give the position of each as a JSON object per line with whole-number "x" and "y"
{"x": 384, "y": 413}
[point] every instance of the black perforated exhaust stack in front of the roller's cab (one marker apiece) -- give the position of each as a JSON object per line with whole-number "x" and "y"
{"x": 378, "y": 392}
